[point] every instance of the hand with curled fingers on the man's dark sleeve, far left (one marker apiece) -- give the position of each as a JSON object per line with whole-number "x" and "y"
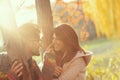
{"x": 17, "y": 68}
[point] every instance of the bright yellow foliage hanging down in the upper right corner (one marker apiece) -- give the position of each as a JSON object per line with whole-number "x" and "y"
{"x": 105, "y": 14}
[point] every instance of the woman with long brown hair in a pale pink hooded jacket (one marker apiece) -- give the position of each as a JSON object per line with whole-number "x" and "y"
{"x": 71, "y": 59}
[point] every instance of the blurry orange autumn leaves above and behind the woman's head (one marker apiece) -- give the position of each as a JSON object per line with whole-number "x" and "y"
{"x": 73, "y": 14}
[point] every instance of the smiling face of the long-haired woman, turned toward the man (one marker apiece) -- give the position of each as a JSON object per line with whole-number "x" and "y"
{"x": 58, "y": 44}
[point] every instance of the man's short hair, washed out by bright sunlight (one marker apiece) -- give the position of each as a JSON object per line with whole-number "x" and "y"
{"x": 29, "y": 31}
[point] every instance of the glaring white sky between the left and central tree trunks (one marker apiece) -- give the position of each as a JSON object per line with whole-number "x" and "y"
{"x": 24, "y": 11}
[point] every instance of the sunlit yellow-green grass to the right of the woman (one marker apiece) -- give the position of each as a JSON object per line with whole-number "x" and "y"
{"x": 105, "y": 61}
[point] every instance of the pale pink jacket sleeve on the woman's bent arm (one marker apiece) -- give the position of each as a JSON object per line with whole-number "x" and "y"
{"x": 76, "y": 66}
